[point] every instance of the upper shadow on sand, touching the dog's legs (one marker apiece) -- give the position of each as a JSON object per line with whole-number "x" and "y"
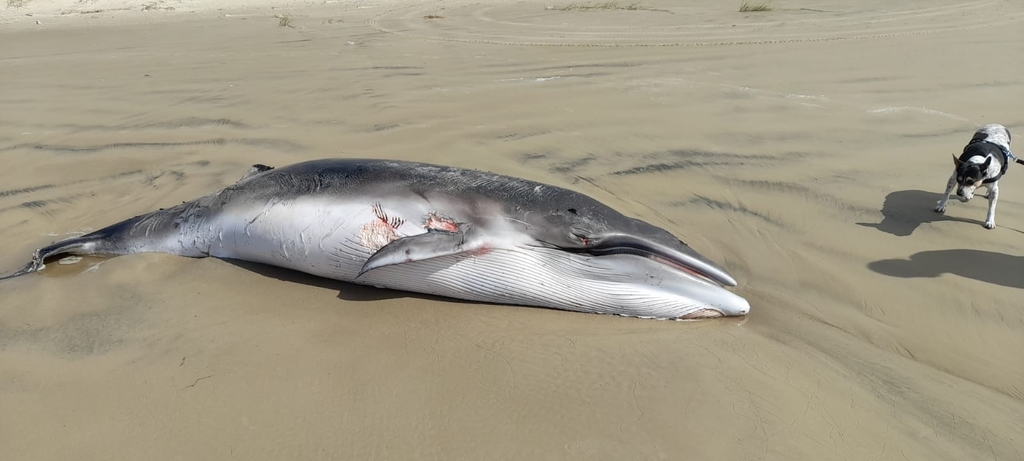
{"x": 904, "y": 212}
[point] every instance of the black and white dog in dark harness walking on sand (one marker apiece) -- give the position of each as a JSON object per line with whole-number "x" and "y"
{"x": 984, "y": 162}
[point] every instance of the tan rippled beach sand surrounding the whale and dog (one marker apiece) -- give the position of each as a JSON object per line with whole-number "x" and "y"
{"x": 803, "y": 148}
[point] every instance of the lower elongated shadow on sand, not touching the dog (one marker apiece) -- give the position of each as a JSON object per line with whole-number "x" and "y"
{"x": 988, "y": 267}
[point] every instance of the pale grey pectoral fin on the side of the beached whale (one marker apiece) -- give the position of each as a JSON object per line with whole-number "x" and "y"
{"x": 422, "y": 247}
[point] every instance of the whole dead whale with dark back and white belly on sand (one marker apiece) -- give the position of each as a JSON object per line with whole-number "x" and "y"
{"x": 432, "y": 229}
